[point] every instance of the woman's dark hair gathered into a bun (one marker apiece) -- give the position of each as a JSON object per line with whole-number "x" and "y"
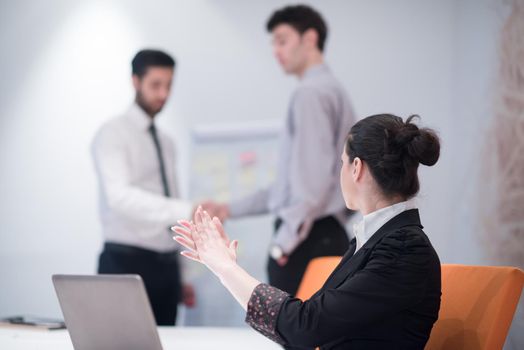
{"x": 393, "y": 149}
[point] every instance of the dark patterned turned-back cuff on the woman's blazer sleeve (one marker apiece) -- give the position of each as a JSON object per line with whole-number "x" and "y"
{"x": 263, "y": 308}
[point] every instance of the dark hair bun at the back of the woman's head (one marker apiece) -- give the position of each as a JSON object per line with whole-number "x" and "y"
{"x": 421, "y": 144}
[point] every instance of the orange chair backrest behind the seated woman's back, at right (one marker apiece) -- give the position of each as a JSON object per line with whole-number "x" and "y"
{"x": 478, "y": 304}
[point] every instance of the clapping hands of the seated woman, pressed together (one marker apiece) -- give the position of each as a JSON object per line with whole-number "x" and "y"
{"x": 206, "y": 242}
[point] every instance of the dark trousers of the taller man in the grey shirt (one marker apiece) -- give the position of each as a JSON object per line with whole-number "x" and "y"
{"x": 326, "y": 238}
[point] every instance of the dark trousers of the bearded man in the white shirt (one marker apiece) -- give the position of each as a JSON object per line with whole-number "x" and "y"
{"x": 159, "y": 271}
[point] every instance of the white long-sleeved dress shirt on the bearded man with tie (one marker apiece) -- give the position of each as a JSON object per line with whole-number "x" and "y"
{"x": 133, "y": 208}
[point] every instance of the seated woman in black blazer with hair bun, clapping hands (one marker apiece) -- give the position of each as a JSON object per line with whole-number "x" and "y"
{"x": 385, "y": 293}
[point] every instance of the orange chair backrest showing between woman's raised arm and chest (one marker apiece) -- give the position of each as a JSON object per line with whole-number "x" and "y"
{"x": 317, "y": 272}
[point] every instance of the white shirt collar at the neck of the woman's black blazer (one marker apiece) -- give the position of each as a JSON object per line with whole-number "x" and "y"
{"x": 372, "y": 222}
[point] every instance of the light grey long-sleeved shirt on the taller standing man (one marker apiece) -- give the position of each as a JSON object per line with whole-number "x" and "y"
{"x": 307, "y": 182}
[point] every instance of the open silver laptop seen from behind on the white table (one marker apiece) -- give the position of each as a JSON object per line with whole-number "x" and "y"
{"x": 107, "y": 312}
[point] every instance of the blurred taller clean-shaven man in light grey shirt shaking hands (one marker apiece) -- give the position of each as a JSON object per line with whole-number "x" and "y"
{"x": 305, "y": 197}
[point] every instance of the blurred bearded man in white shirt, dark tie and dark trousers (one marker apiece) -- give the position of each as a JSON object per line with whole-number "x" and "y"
{"x": 135, "y": 165}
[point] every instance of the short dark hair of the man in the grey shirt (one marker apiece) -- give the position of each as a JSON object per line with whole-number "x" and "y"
{"x": 302, "y": 18}
